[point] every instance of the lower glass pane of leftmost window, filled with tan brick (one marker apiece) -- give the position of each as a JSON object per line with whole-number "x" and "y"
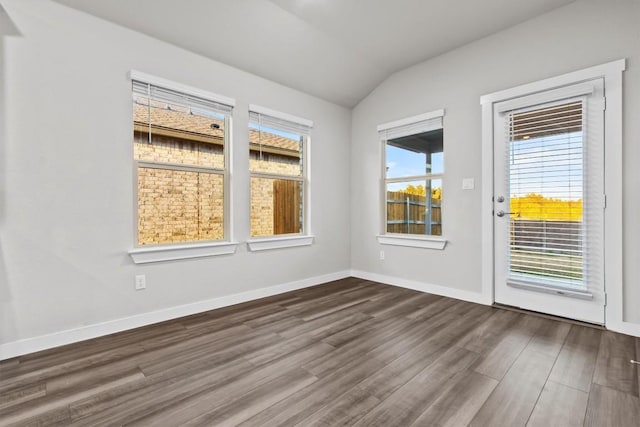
{"x": 179, "y": 206}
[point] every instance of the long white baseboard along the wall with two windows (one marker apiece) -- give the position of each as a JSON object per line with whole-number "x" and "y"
{"x": 57, "y": 339}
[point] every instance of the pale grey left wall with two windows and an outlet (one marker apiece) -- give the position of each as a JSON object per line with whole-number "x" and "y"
{"x": 66, "y": 177}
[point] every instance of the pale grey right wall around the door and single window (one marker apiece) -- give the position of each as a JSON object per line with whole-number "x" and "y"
{"x": 582, "y": 34}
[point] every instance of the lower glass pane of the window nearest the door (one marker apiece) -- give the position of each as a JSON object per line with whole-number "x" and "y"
{"x": 410, "y": 211}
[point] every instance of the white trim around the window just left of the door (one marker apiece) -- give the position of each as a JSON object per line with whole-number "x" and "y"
{"x": 409, "y": 240}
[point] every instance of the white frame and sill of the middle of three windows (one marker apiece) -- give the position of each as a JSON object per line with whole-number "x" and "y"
{"x": 305, "y": 238}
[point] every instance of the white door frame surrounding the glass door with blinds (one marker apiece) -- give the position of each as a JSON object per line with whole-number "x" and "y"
{"x": 612, "y": 74}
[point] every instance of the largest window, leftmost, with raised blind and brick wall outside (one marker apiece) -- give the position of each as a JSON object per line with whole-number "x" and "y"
{"x": 180, "y": 149}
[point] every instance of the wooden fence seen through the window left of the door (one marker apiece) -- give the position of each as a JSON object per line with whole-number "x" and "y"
{"x": 408, "y": 214}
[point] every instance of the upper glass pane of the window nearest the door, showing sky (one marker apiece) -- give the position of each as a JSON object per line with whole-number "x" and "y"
{"x": 415, "y": 155}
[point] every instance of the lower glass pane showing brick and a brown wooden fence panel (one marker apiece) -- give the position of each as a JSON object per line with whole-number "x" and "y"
{"x": 276, "y": 206}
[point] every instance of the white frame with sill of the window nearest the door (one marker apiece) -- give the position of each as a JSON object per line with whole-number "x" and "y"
{"x": 411, "y": 240}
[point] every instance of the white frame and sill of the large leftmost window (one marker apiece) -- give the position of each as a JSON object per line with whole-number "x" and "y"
{"x": 197, "y": 249}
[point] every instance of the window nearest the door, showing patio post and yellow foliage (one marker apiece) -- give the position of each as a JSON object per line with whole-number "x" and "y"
{"x": 413, "y": 172}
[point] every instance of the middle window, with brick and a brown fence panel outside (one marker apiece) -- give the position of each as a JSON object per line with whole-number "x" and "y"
{"x": 277, "y": 164}
